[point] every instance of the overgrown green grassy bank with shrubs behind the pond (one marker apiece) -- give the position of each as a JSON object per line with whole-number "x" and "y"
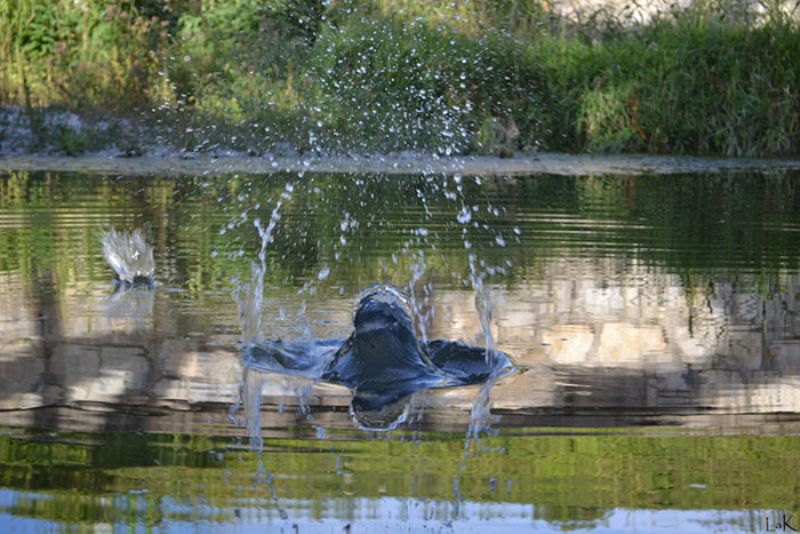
{"x": 491, "y": 77}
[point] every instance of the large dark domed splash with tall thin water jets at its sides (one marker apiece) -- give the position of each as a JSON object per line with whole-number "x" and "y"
{"x": 377, "y": 405}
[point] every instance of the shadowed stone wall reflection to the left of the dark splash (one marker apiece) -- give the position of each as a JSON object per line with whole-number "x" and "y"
{"x": 109, "y": 355}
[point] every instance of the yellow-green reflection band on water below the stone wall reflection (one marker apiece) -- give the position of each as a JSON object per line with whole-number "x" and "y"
{"x": 566, "y": 477}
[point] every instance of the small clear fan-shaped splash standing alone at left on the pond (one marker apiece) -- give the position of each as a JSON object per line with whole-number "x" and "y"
{"x": 130, "y": 256}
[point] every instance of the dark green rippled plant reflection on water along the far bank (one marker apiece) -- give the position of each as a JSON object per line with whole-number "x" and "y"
{"x": 689, "y": 224}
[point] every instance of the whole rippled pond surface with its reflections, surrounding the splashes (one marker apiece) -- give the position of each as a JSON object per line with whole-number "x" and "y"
{"x": 652, "y": 321}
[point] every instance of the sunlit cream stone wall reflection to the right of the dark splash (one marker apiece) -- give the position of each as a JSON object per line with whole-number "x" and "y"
{"x": 613, "y": 333}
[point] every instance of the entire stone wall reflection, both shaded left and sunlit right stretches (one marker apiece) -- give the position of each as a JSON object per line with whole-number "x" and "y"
{"x": 605, "y": 334}
